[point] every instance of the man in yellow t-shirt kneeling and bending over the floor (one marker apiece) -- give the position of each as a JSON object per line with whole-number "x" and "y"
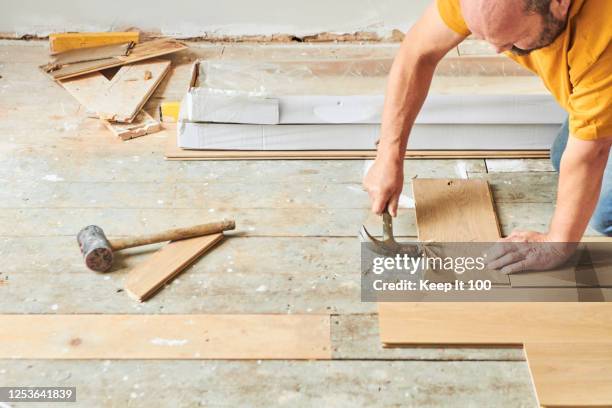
{"x": 567, "y": 44}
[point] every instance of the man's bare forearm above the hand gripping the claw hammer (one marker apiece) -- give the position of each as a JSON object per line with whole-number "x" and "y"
{"x": 407, "y": 88}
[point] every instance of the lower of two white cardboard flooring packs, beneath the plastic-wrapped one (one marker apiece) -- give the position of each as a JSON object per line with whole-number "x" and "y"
{"x": 363, "y": 137}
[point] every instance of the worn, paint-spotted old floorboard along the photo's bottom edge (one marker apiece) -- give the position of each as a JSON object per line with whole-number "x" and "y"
{"x": 429, "y": 384}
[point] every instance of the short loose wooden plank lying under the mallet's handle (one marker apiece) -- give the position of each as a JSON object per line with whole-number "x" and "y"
{"x": 146, "y": 279}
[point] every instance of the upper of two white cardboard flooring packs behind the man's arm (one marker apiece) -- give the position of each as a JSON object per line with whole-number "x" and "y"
{"x": 204, "y": 105}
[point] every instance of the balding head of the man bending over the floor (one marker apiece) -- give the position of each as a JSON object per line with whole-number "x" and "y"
{"x": 520, "y": 26}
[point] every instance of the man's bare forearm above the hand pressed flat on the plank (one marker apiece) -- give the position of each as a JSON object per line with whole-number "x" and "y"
{"x": 580, "y": 179}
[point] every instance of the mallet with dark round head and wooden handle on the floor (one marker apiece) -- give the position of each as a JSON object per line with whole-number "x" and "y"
{"x": 98, "y": 250}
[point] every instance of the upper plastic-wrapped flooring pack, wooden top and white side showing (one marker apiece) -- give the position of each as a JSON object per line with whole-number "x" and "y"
{"x": 352, "y": 92}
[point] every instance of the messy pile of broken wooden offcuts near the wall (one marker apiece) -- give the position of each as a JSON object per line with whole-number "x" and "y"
{"x": 116, "y": 96}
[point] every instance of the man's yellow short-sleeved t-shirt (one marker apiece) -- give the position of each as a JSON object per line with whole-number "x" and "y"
{"x": 576, "y": 68}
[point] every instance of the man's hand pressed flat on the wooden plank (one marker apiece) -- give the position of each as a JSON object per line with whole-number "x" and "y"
{"x": 525, "y": 251}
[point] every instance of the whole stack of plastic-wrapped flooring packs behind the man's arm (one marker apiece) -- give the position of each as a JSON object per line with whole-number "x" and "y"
{"x": 333, "y": 108}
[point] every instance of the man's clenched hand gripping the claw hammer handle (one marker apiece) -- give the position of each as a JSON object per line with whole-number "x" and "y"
{"x": 384, "y": 183}
